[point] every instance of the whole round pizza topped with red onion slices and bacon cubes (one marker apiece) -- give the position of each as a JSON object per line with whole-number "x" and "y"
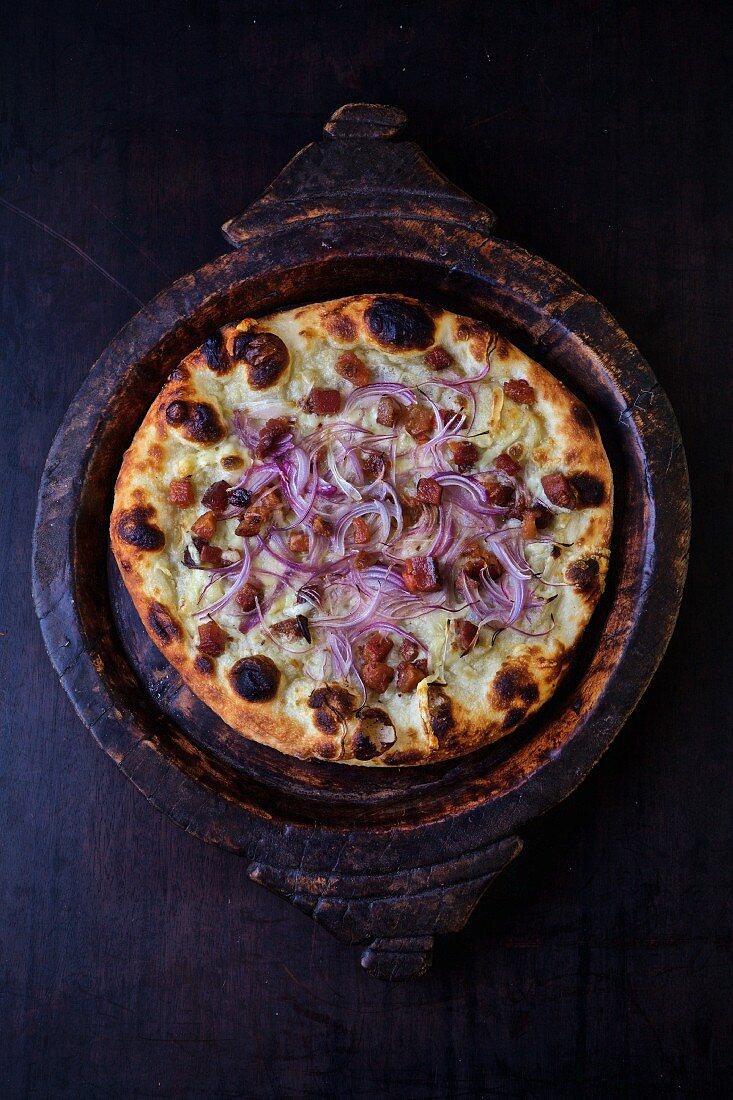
{"x": 366, "y": 531}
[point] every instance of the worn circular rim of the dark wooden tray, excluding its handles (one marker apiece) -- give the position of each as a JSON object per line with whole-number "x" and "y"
{"x": 214, "y": 285}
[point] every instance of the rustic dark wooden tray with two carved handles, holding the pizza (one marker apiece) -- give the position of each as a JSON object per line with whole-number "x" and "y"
{"x": 385, "y": 860}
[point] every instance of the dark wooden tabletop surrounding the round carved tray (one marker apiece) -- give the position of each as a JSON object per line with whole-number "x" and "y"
{"x": 138, "y": 962}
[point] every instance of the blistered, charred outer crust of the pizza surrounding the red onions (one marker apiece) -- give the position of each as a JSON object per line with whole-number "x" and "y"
{"x": 466, "y": 700}
